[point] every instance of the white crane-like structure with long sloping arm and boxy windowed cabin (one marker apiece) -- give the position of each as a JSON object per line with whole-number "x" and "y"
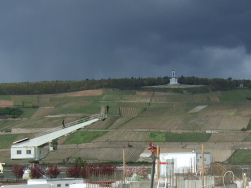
{"x": 34, "y": 149}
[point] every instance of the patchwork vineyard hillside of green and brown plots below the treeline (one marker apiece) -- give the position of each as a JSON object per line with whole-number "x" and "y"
{"x": 175, "y": 121}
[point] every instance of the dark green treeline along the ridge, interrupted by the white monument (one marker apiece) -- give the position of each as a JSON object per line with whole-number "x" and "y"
{"x": 54, "y": 87}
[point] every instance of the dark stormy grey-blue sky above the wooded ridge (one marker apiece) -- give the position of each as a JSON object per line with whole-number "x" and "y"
{"x": 45, "y": 40}
